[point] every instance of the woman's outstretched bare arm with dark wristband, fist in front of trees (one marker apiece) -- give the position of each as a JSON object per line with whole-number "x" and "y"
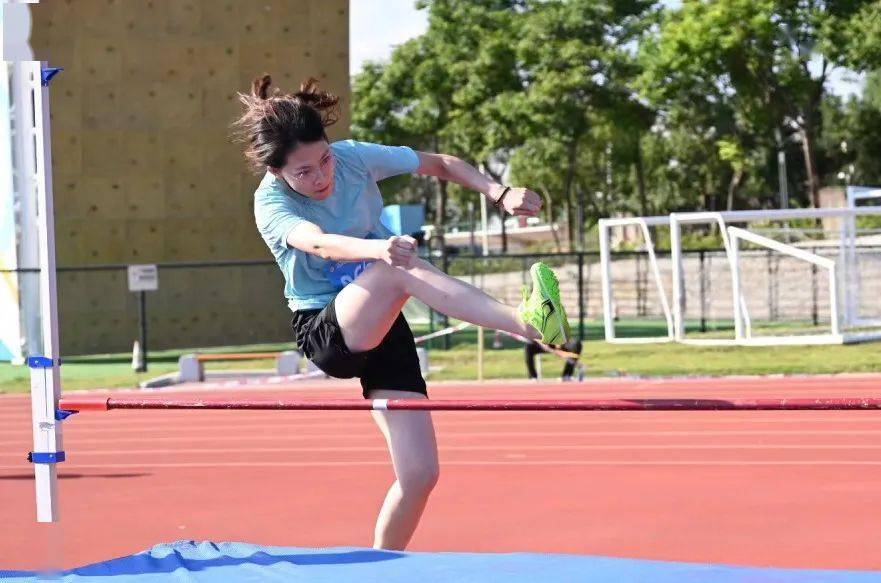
{"x": 516, "y": 201}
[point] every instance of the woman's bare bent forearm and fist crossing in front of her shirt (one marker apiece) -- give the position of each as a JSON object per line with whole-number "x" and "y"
{"x": 308, "y": 237}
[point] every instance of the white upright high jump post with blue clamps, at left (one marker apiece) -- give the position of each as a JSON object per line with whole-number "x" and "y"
{"x": 45, "y": 372}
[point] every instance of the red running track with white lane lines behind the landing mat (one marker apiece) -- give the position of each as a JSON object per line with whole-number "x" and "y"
{"x": 781, "y": 488}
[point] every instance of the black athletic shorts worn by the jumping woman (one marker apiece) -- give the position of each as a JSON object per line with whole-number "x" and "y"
{"x": 393, "y": 364}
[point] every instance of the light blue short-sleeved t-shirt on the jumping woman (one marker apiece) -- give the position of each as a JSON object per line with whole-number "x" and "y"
{"x": 353, "y": 210}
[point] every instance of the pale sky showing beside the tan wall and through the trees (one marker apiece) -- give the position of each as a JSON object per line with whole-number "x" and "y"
{"x": 373, "y": 34}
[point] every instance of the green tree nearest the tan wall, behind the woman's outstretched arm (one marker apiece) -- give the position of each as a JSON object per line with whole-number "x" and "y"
{"x": 443, "y": 90}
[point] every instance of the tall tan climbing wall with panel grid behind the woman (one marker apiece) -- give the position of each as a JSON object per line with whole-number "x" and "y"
{"x": 144, "y": 170}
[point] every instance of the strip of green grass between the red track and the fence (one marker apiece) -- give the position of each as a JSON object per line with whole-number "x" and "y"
{"x": 459, "y": 362}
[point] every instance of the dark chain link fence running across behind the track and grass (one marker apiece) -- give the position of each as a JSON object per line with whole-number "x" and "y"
{"x": 240, "y": 302}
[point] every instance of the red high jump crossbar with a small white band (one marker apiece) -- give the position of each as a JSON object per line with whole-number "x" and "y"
{"x": 839, "y": 404}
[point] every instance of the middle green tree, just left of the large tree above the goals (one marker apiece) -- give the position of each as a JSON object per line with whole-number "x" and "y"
{"x": 576, "y": 68}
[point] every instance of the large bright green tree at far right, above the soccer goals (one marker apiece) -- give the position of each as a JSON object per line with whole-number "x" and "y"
{"x": 769, "y": 61}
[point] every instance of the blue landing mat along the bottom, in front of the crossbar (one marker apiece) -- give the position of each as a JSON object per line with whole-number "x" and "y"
{"x": 185, "y": 561}
